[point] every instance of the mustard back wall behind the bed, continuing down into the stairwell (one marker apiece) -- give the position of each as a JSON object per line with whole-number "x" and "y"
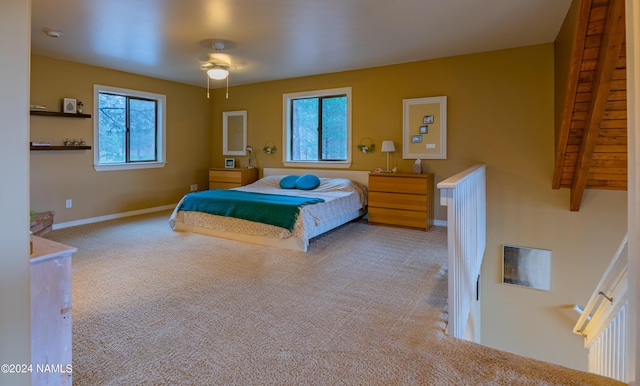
{"x": 500, "y": 112}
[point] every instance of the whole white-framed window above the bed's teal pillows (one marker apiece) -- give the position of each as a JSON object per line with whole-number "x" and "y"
{"x": 317, "y": 128}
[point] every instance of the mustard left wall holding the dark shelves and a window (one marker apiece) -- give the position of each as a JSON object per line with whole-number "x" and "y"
{"x": 57, "y": 176}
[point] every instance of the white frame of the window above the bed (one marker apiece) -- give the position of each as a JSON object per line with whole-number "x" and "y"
{"x": 287, "y": 129}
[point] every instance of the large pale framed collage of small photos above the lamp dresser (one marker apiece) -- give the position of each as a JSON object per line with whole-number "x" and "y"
{"x": 418, "y": 113}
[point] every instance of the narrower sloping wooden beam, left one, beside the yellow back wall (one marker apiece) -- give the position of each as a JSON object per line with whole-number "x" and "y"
{"x": 572, "y": 86}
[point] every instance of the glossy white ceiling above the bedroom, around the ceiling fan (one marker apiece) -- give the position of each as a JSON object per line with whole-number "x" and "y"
{"x": 277, "y": 39}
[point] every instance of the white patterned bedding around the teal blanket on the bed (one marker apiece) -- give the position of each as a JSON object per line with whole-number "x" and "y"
{"x": 343, "y": 200}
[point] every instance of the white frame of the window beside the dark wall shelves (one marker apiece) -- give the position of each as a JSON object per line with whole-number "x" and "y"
{"x": 161, "y": 155}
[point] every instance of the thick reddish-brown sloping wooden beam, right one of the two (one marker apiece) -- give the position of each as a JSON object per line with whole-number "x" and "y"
{"x": 612, "y": 40}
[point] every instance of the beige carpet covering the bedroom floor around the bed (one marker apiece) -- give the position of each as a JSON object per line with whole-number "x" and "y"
{"x": 365, "y": 306}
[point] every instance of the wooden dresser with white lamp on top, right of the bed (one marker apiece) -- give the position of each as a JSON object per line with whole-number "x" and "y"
{"x": 401, "y": 199}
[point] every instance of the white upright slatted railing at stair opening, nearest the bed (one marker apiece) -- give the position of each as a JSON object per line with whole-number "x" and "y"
{"x": 464, "y": 195}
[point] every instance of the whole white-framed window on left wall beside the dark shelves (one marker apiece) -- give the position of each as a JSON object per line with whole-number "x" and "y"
{"x": 129, "y": 129}
